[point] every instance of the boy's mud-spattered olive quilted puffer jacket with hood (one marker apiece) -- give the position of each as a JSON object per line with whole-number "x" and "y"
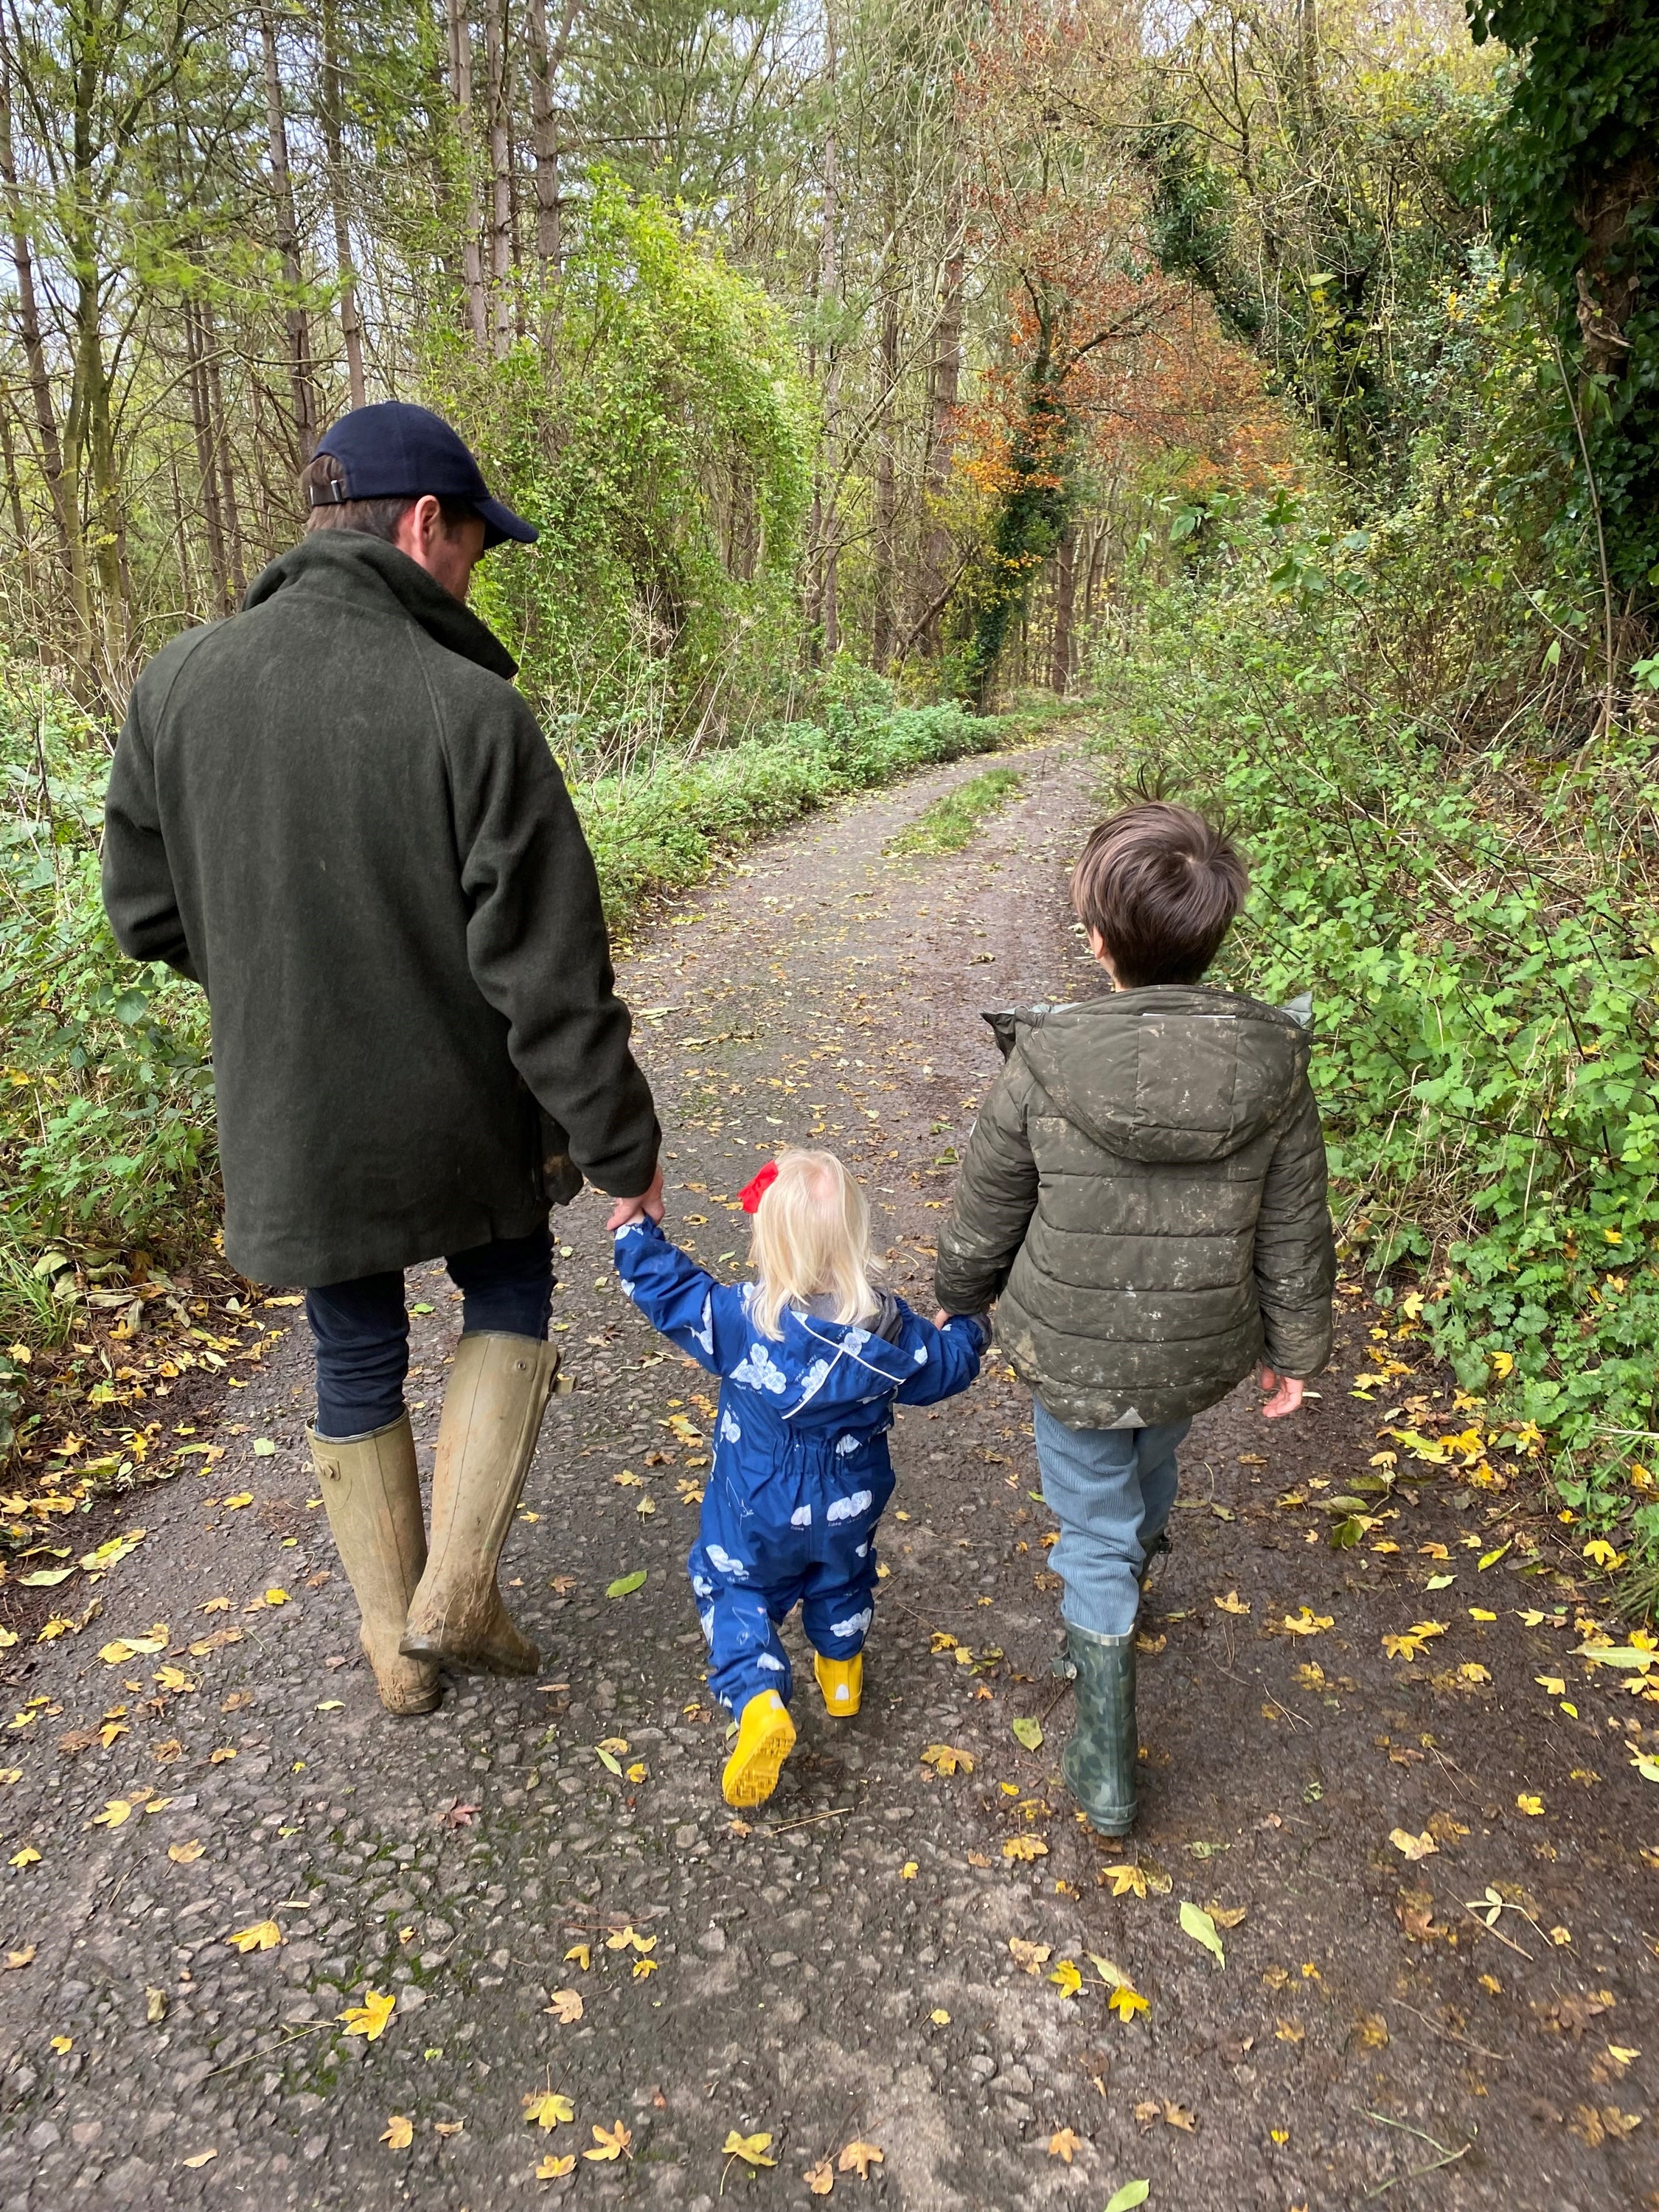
{"x": 1145, "y": 1196}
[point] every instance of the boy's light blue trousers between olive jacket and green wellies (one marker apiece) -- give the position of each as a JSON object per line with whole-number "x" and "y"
{"x": 1112, "y": 1492}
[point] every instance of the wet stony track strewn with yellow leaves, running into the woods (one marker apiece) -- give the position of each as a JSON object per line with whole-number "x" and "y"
{"x": 842, "y": 1972}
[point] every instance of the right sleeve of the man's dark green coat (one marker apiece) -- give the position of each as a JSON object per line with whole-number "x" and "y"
{"x": 539, "y": 946}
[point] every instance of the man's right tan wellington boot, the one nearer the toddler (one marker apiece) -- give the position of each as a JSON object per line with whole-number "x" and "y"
{"x": 486, "y": 1439}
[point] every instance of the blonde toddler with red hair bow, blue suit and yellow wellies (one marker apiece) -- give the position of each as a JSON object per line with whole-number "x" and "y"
{"x": 813, "y": 1361}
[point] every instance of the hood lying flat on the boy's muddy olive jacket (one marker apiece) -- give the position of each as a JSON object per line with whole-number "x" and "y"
{"x": 1167, "y": 1074}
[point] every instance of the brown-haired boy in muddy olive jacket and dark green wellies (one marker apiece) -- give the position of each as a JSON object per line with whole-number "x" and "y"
{"x": 1145, "y": 1196}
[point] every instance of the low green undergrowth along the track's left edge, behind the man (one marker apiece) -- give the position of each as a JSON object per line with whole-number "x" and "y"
{"x": 105, "y": 1070}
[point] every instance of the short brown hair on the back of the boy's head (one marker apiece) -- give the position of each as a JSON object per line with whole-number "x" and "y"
{"x": 1160, "y": 884}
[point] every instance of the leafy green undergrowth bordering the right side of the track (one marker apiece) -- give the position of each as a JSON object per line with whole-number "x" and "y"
{"x": 1479, "y": 924}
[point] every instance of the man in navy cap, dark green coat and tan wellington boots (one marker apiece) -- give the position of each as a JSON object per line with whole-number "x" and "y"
{"x": 340, "y": 817}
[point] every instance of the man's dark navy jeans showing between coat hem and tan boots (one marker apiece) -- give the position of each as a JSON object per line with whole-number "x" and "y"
{"x": 362, "y": 1328}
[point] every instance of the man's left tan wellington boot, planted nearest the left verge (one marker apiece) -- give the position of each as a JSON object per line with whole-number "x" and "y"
{"x": 373, "y": 1494}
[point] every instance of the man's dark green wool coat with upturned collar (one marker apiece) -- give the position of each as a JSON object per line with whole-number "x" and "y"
{"x": 340, "y": 817}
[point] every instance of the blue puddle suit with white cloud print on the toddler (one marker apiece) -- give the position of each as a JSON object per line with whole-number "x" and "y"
{"x": 802, "y": 1465}
